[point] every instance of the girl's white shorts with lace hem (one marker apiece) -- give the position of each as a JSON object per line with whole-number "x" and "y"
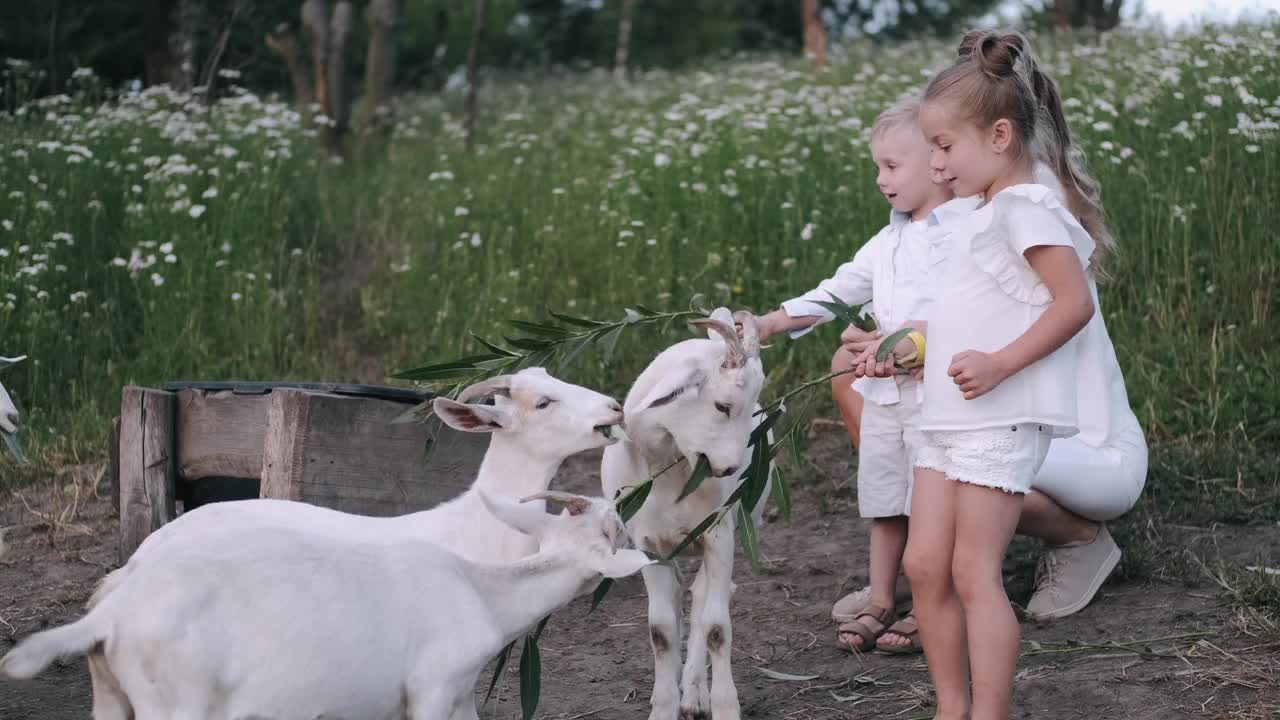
{"x": 1004, "y": 459}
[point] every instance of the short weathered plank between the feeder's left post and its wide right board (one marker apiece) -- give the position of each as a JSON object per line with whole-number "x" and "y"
{"x": 221, "y": 434}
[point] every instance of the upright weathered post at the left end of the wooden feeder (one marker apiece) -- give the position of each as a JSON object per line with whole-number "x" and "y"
{"x": 147, "y": 466}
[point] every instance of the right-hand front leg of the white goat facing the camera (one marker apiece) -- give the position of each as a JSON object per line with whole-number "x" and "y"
{"x": 719, "y": 589}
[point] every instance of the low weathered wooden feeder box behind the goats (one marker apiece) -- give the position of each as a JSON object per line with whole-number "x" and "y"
{"x": 327, "y": 444}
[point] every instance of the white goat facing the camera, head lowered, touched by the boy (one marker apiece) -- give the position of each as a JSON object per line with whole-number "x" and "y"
{"x": 697, "y": 398}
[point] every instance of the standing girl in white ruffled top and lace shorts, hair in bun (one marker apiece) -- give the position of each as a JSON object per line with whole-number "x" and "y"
{"x": 999, "y": 380}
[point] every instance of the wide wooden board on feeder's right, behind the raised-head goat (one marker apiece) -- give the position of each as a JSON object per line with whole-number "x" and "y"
{"x": 344, "y": 453}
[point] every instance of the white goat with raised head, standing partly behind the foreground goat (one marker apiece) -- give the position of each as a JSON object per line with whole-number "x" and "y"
{"x": 537, "y": 423}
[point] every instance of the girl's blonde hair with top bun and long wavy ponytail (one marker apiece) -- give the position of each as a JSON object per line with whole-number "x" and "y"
{"x": 996, "y": 76}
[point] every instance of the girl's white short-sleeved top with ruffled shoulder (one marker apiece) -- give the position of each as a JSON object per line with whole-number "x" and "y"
{"x": 986, "y": 298}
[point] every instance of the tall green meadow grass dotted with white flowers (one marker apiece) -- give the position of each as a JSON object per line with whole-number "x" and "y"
{"x": 747, "y": 181}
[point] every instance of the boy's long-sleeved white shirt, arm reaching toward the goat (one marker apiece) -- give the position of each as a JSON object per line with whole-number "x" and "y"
{"x": 870, "y": 277}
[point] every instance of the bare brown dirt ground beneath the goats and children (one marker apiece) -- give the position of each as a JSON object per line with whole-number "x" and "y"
{"x": 1185, "y": 651}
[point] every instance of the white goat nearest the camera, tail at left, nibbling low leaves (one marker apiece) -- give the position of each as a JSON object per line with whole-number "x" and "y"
{"x": 275, "y": 623}
